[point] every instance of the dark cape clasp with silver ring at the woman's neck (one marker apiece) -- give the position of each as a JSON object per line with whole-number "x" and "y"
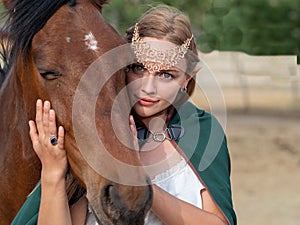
{"x": 173, "y": 132}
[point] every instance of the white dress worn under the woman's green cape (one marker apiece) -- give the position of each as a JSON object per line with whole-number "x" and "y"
{"x": 180, "y": 181}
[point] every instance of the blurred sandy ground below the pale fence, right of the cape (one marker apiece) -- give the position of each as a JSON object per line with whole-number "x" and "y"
{"x": 265, "y": 157}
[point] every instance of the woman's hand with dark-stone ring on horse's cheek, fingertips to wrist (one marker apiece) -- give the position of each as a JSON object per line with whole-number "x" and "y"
{"x": 53, "y": 157}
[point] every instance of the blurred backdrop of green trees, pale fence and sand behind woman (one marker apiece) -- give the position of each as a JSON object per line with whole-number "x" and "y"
{"x": 251, "y": 50}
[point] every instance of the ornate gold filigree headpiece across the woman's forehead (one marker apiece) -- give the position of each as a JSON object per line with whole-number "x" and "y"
{"x": 153, "y": 59}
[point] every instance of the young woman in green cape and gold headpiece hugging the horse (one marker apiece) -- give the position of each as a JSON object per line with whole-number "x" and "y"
{"x": 173, "y": 134}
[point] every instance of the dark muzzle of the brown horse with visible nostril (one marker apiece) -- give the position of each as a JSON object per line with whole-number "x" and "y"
{"x": 121, "y": 205}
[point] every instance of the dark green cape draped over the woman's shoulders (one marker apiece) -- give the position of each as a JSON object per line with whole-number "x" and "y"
{"x": 203, "y": 142}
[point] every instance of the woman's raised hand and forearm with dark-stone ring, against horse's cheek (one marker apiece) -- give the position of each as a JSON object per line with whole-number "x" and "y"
{"x": 54, "y": 201}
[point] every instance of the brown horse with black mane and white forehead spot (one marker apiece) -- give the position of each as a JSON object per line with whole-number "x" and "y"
{"x": 50, "y": 45}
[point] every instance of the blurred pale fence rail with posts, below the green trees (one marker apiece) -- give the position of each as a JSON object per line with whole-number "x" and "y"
{"x": 237, "y": 69}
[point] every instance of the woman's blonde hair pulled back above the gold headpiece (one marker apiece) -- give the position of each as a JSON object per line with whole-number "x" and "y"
{"x": 168, "y": 23}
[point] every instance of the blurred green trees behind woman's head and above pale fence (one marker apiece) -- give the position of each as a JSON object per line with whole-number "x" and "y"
{"x": 258, "y": 27}
